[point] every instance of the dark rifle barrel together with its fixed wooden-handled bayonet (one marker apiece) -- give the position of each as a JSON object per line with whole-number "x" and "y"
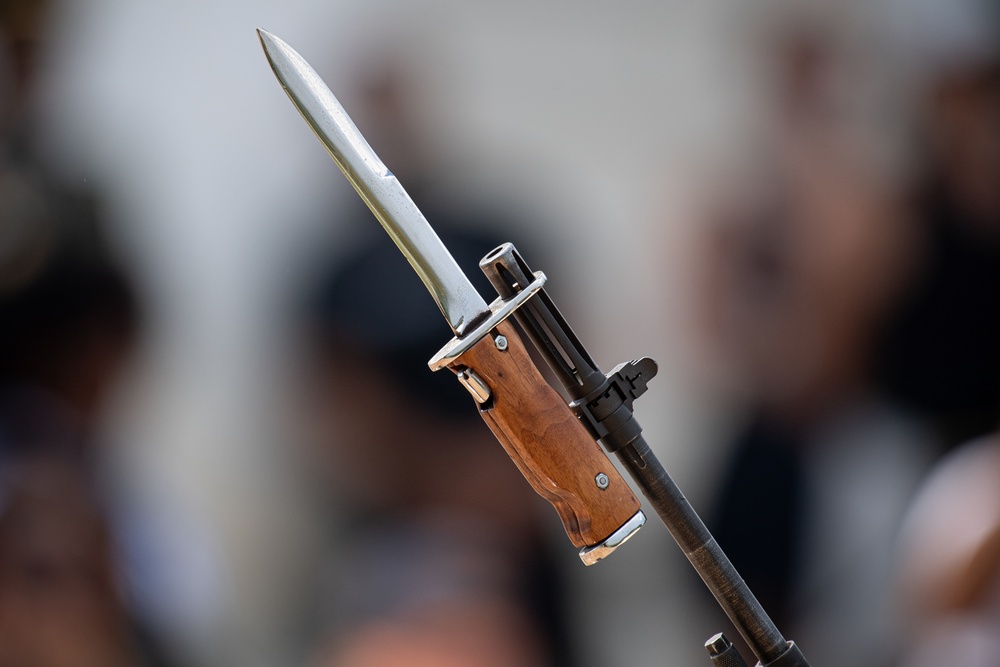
{"x": 556, "y": 446}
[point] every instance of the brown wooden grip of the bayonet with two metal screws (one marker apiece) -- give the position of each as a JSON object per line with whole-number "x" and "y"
{"x": 544, "y": 438}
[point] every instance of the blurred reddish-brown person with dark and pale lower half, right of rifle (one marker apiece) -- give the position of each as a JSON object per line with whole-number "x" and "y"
{"x": 804, "y": 264}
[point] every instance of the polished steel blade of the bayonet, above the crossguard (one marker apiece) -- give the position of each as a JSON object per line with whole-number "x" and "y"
{"x": 461, "y": 304}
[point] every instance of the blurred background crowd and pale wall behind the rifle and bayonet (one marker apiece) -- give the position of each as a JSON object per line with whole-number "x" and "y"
{"x": 216, "y": 443}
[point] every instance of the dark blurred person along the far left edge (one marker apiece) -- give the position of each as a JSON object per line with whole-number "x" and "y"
{"x": 68, "y": 320}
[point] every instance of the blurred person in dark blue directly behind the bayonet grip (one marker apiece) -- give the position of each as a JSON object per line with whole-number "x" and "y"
{"x": 443, "y": 560}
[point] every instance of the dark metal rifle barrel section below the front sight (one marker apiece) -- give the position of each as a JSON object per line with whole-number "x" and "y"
{"x": 705, "y": 554}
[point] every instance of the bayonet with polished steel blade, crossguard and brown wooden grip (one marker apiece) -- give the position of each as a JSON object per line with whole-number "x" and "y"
{"x": 547, "y": 442}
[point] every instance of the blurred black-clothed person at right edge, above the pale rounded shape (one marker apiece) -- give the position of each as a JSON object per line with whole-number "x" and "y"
{"x": 940, "y": 355}
